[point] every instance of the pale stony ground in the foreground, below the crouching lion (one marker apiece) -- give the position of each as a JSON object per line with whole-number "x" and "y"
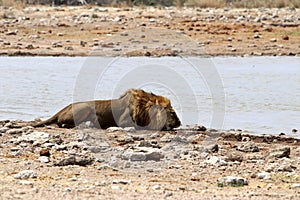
{"x": 190, "y": 163}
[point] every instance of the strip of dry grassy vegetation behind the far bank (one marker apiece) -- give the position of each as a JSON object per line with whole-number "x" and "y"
{"x": 177, "y": 3}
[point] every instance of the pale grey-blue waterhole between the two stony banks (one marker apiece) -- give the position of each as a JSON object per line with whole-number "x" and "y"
{"x": 260, "y": 94}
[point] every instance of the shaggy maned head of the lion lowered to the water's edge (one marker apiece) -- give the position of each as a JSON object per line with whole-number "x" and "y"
{"x": 150, "y": 111}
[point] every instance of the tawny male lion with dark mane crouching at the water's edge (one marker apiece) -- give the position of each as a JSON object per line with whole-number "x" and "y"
{"x": 134, "y": 108}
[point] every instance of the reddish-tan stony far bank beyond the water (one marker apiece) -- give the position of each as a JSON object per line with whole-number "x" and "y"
{"x": 81, "y": 31}
